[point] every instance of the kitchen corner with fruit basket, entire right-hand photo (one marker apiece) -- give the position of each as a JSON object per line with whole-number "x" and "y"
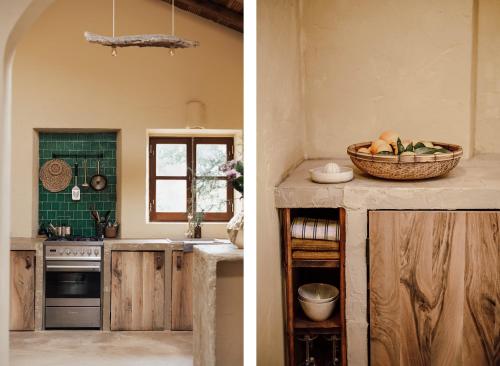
{"x": 378, "y": 183}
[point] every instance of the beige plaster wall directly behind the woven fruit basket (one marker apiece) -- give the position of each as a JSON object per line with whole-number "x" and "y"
{"x": 387, "y": 64}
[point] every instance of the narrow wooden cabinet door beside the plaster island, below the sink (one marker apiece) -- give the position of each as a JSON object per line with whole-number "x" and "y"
{"x": 182, "y": 290}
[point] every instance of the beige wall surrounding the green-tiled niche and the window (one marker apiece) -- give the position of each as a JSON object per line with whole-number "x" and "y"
{"x": 61, "y": 81}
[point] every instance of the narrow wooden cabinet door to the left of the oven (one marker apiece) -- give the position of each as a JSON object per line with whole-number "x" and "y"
{"x": 22, "y": 290}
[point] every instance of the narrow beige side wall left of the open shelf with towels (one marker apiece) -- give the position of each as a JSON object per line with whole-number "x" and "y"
{"x": 280, "y": 134}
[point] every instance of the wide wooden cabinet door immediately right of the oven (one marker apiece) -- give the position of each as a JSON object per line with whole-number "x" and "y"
{"x": 137, "y": 290}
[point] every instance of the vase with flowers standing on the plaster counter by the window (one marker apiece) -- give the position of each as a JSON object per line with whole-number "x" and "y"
{"x": 234, "y": 173}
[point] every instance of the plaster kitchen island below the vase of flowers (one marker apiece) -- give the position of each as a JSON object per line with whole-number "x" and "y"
{"x": 218, "y": 305}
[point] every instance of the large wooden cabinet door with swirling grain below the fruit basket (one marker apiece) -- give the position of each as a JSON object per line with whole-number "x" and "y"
{"x": 434, "y": 295}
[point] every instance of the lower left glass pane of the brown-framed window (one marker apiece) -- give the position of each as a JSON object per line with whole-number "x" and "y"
{"x": 171, "y": 196}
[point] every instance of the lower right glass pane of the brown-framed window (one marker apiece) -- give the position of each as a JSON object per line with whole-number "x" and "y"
{"x": 211, "y": 195}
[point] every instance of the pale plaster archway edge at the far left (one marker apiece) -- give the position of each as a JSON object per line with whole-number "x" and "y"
{"x": 16, "y": 17}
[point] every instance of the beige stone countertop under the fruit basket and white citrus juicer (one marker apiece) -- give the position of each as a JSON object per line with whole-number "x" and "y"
{"x": 474, "y": 183}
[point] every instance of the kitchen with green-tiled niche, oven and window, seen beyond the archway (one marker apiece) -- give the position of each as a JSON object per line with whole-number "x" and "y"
{"x": 116, "y": 187}
